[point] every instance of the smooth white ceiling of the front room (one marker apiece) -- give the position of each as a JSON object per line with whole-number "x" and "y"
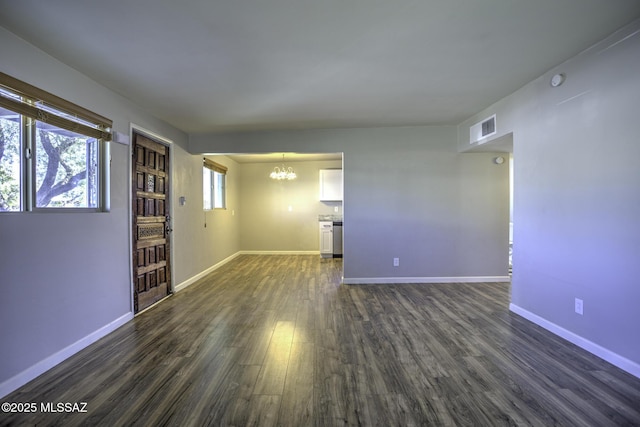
{"x": 226, "y": 65}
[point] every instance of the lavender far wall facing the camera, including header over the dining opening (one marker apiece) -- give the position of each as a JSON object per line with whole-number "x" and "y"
{"x": 408, "y": 194}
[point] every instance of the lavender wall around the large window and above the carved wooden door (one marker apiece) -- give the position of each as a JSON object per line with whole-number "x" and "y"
{"x": 64, "y": 277}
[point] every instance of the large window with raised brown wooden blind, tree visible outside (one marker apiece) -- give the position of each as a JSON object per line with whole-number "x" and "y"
{"x": 51, "y": 151}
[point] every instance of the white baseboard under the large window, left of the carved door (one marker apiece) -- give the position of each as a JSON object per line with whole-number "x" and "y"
{"x": 44, "y": 365}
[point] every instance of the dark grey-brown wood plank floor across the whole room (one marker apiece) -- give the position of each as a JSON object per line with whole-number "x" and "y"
{"x": 276, "y": 340}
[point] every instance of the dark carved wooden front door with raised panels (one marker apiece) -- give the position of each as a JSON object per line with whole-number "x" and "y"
{"x": 151, "y": 227}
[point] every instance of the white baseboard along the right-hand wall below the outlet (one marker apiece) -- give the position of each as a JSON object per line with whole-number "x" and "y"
{"x": 593, "y": 348}
